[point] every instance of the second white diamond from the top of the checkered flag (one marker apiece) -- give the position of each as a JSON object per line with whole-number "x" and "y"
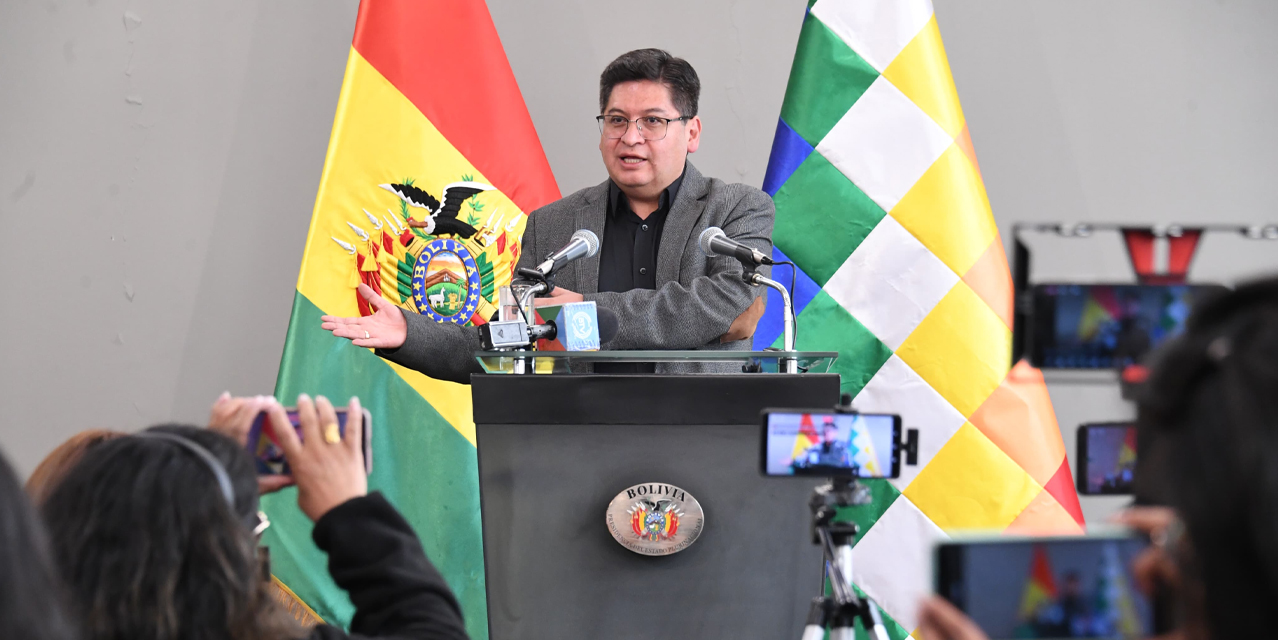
{"x": 885, "y": 144}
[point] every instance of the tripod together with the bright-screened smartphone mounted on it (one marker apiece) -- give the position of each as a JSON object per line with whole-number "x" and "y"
{"x": 845, "y": 446}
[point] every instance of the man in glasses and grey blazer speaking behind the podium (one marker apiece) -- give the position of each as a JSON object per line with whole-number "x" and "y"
{"x": 649, "y": 214}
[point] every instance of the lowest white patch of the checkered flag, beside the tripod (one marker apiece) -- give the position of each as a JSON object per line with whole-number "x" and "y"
{"x": 893, "y": 564}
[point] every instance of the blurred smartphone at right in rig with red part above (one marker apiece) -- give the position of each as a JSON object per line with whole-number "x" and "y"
{"x": 1107, "y": 326}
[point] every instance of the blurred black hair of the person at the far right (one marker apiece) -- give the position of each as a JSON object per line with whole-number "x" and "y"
{"x": 1208, "y": 422}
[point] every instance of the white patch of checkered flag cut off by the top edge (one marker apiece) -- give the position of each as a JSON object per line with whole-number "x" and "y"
{"x": 877, "y": 30}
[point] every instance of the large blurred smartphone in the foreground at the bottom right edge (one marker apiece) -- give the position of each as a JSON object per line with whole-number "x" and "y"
{"x": 1049, "y": 588}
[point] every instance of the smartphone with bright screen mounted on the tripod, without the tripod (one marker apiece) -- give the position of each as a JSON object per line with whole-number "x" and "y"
{"x": 829, "y": 445}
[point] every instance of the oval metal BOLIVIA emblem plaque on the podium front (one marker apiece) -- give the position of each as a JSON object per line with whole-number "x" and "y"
{"x": 655, "y": 519}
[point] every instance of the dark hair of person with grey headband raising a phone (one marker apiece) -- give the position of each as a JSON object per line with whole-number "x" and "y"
{"x": 151, "y": 549}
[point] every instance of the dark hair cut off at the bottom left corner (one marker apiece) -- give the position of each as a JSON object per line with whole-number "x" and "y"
{"x": 33, "y": 602}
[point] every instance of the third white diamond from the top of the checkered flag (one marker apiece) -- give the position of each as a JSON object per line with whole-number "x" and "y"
{"x": 891, "y": 283}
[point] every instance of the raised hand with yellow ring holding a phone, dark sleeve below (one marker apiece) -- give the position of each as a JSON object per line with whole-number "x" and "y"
{"x": 328, "y": 468}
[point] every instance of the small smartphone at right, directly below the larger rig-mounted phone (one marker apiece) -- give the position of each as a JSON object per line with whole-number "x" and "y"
{"x": 1106, "y": 459}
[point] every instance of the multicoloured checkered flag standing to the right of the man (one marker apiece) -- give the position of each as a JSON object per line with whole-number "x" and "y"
{"x": 902, "y": 270}
